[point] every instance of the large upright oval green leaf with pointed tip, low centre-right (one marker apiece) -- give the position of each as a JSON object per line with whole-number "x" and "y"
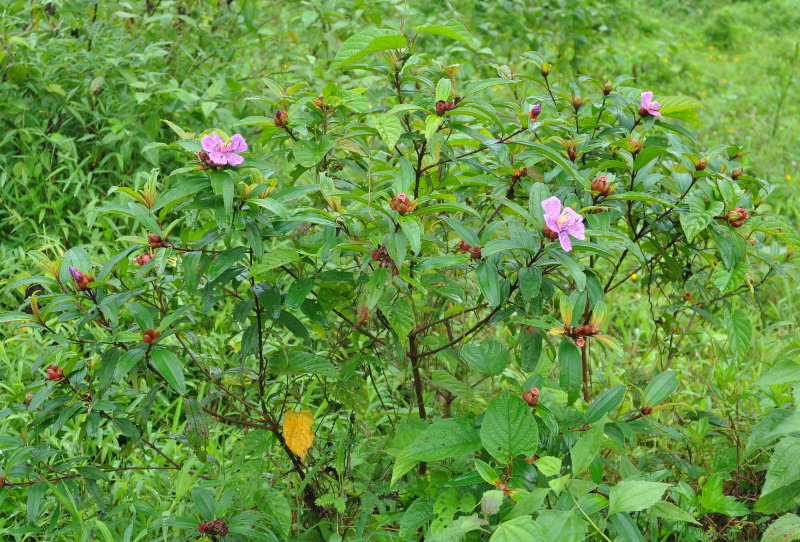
{"x": 509, "y": 429}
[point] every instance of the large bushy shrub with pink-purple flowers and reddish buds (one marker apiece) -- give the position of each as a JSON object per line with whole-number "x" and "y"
{"x": 389, "y": 313}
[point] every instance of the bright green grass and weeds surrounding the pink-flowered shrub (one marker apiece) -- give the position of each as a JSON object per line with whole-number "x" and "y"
{"x": 85, "y": 88}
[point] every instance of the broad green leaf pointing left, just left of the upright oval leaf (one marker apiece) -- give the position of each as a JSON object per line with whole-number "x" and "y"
{"x": 450, "y": 437}
